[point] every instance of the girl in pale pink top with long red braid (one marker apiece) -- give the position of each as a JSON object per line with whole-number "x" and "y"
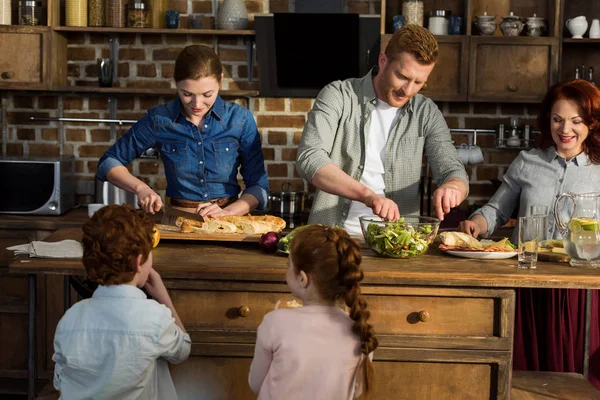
{"x": 318, "y": 351}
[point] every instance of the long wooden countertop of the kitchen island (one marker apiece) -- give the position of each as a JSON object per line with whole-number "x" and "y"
{"x": 246, "y": 262}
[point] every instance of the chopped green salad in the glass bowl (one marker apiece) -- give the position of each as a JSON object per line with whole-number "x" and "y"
{"x": 397, "y": 239}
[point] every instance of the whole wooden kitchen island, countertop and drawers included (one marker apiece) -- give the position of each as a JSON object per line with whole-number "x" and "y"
{"x": 445, "y": 325}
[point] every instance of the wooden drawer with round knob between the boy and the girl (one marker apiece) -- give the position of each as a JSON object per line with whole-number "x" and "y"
{"x": 225, "y": 309}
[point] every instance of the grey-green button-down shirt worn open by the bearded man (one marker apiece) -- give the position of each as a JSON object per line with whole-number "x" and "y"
{"x": 336, "y": 133}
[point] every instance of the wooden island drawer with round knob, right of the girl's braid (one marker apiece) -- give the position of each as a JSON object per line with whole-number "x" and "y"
{"x": 442, "y": 318}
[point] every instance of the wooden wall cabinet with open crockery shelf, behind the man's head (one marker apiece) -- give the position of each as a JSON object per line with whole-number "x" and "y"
{"x": 478, "y": 68}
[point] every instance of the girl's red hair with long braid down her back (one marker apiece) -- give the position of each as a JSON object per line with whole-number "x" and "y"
{"x": 333, "y": 259}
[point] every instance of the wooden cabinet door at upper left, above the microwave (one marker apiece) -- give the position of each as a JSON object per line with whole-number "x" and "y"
{"x": 21, "y": 58}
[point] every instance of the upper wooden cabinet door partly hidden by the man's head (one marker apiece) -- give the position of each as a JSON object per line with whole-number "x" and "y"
{"x": 449, "y": 78}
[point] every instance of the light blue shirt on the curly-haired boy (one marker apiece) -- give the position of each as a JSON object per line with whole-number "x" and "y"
{"x": 117, "y": 345}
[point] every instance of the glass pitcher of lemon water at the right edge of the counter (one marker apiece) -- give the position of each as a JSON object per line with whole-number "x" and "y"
{"x": 581, "y": 235}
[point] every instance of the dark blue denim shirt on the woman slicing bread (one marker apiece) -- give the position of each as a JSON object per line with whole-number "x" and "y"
{"x": 200, "y": 164}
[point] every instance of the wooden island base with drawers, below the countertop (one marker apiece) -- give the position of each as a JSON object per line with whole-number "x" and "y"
{"x": 461, "y": 338}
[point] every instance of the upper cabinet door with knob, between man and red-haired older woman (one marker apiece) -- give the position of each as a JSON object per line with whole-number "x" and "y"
{"x": 517, "y": 69}
